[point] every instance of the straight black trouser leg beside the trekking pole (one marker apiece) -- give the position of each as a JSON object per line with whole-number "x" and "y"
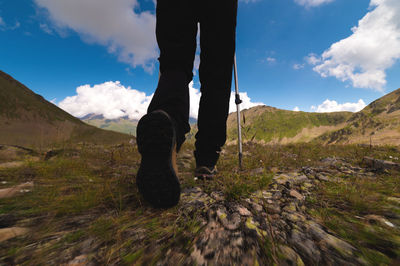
{"x": 217, "y": 43}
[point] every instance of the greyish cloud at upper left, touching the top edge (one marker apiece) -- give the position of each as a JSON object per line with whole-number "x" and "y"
{"x": 116, "y": 24}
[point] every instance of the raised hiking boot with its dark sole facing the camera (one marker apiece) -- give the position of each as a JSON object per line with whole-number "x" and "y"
{"x": 157, "y": 178}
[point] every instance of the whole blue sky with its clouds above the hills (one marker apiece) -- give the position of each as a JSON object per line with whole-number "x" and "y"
{"x": 316, "y": 55}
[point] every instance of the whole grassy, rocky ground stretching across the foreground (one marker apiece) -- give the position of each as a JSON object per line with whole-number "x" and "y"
{"x": 278, "y": 219}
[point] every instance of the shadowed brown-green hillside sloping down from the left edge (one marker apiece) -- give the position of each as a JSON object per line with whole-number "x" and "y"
{"x": 27, "y": 119}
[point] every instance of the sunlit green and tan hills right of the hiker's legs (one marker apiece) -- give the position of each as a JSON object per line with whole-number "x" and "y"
{"x": 378, "y": 123}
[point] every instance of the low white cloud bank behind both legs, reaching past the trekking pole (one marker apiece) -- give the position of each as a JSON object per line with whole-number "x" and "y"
{"x": 113, "y": 100}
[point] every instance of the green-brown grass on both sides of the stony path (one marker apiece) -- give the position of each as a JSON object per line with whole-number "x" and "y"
{"x": 89, "y": 193}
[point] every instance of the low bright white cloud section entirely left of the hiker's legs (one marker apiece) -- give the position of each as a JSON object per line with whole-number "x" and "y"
{"x": 111, "y": 99}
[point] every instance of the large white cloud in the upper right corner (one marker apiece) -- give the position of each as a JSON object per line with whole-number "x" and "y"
{"x": 374, "y": 47}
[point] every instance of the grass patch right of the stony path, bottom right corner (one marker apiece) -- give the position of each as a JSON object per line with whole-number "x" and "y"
{"x": 342, "y": 207}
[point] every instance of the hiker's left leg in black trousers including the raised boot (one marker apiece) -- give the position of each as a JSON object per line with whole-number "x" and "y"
{"x": 161, "y": 132}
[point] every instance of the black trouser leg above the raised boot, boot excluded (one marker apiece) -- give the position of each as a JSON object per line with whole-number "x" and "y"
{"x": 176, "y": 32}
